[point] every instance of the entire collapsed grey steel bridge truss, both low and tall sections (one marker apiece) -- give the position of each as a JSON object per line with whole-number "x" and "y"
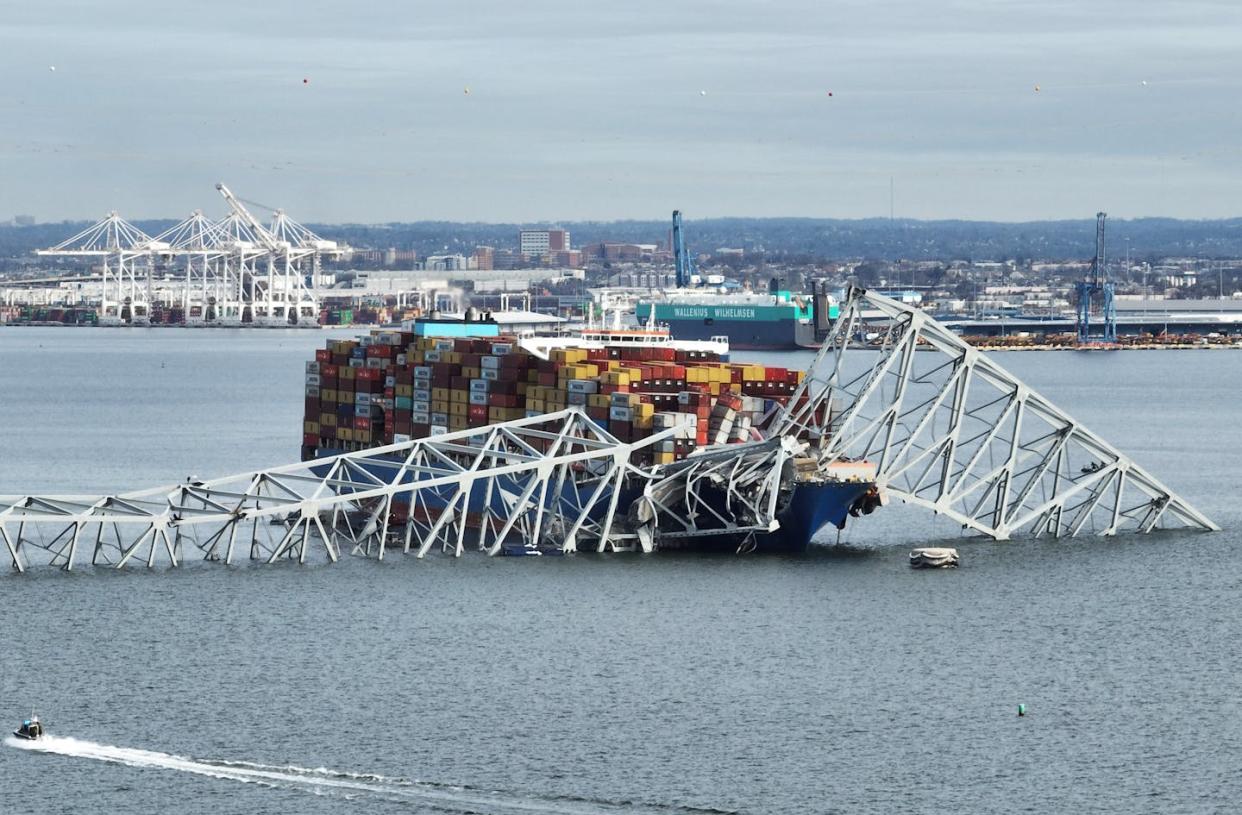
{"x": 946, "y": 428}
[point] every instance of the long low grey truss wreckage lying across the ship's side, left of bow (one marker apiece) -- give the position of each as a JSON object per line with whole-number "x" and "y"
{"x": 553, "y": 483}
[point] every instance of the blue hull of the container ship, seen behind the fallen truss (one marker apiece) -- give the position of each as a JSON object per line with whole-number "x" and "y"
{"x": 812, "y": 509}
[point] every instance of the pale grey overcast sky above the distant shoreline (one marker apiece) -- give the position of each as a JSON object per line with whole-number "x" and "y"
{"x": 999, "y": 110}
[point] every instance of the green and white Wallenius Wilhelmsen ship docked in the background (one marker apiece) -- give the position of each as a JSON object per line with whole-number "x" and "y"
{"x": 777, "y": 321}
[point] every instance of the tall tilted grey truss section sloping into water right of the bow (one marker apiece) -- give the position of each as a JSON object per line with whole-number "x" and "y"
{"x": 953, "y": 432}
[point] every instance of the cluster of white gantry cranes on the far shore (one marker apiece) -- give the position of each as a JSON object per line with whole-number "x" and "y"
{"x": 234, "y": 271}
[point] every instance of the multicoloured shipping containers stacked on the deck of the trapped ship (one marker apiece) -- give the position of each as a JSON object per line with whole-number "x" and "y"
{"x": 393, "y": 387}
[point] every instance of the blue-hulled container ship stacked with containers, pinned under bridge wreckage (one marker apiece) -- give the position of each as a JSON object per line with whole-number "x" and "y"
{"x": 393, "y": 387}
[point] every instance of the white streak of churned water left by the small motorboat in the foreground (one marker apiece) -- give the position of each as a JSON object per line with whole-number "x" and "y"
{"x": 448, "y": 798}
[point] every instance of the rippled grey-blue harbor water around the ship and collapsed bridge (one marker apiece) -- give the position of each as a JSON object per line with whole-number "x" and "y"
{"x": 841, "y": 681}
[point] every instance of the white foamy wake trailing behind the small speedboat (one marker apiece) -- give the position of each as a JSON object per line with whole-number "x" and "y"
{"x": 314, "y": 780}
